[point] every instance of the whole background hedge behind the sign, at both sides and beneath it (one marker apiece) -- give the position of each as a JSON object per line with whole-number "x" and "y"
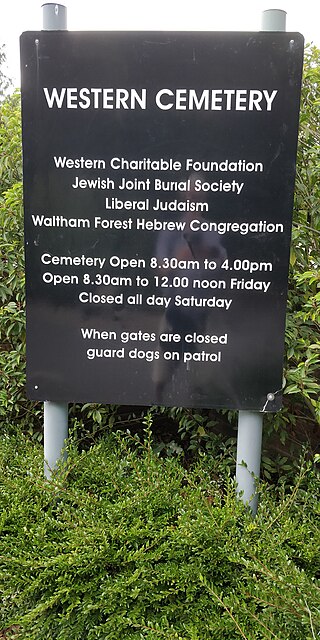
{"x": 301, "y": 414}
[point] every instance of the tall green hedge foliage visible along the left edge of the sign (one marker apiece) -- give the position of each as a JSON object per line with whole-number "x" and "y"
{"x": 13, "y": 403}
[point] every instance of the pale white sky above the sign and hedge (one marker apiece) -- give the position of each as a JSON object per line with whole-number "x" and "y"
{"x": 167, "y": 15}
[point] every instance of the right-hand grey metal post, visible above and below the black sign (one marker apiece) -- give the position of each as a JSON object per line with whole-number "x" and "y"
{"x": 250, "y": 423}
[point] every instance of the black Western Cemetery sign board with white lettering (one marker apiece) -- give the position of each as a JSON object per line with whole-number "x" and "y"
{"x": 159, "y": 176}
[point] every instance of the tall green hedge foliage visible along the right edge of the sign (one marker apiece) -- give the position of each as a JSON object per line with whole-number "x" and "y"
{"x": 303, "y": 317}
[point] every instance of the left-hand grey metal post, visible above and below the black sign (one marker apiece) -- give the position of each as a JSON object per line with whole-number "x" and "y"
{"x": 54, "y": 17}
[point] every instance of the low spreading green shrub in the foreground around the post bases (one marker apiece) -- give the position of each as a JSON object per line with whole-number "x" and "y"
{"x": 125, "y": 545}
